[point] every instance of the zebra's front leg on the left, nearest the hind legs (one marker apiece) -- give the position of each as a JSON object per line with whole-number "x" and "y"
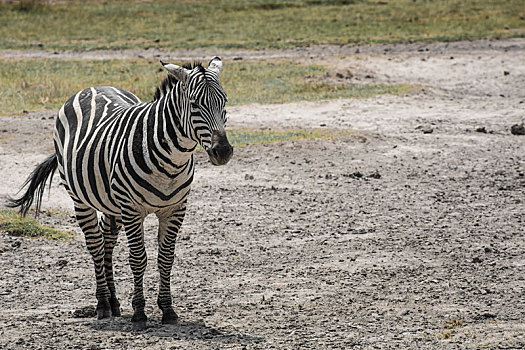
{"x": 133, "y": 225}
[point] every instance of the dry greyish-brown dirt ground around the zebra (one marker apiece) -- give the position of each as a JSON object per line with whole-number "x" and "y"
{"x": 406, "y": 232}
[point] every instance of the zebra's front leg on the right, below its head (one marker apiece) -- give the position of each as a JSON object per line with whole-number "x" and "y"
{"x": 169, "y": 226}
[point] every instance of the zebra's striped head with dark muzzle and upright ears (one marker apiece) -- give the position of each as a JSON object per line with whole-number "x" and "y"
{"x": 206, "y": 125}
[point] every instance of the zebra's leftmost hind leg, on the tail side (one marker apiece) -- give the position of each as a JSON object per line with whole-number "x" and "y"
{"x": 88, "y": 221}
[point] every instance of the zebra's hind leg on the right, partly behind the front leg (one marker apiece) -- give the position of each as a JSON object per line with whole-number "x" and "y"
{"x": 110, "y": 227}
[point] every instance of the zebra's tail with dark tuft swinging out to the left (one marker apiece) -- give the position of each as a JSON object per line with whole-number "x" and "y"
{"x": 37, "y": 183}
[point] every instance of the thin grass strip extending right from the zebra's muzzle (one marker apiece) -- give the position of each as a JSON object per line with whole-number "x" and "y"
{"x": 244, "y": 137}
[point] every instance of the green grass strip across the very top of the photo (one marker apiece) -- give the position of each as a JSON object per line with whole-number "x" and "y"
{"x": 251, "y": 24}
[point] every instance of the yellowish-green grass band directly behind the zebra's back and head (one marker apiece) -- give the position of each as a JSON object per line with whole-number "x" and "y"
{"x": 33, "y": 85}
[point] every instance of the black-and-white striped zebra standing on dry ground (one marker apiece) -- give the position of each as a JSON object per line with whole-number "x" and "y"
{"x": 123, "y": 159}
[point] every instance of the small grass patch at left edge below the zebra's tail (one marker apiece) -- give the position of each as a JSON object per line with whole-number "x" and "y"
{"x": 15, "y": 225}
